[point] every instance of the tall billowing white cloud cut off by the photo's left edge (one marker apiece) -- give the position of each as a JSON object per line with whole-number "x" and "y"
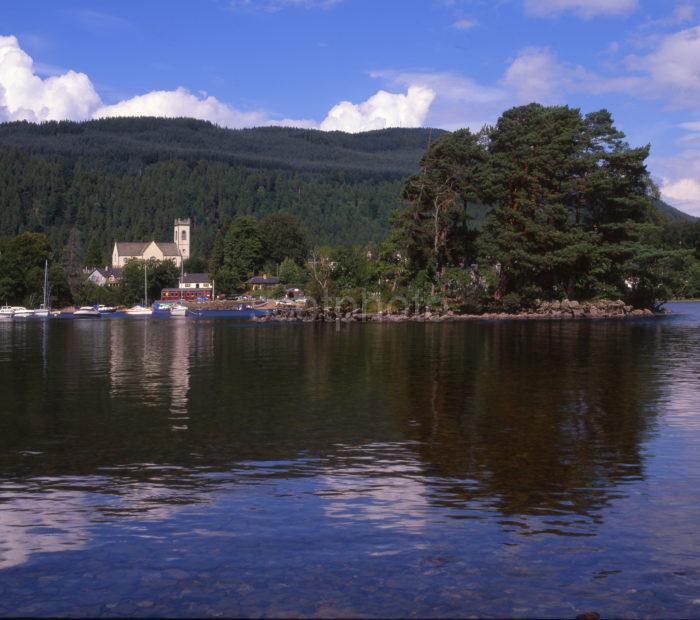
{"x": 26, "y": 96}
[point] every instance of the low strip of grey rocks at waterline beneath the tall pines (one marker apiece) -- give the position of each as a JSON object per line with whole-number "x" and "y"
{"x": 555, "y": 310}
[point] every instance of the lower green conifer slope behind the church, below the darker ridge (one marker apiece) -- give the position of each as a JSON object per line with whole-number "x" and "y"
{"x": 48, "y": 194}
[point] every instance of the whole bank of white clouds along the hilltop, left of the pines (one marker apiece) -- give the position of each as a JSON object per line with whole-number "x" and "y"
{"x": 25, "y": 95}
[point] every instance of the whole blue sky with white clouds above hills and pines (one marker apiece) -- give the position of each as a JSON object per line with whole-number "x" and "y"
{"x": 355, "y": 65}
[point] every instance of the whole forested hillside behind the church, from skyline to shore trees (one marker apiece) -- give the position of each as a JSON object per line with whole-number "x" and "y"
{"x": 128, "y": 178}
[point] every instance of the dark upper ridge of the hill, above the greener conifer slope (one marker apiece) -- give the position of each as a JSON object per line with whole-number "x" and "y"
{"x": 381, "y": 152}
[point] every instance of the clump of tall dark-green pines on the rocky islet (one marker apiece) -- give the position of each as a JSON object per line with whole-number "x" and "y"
{"x": 573, "y": 215}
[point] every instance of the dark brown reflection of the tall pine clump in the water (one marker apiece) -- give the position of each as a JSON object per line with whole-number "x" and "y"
{"x": 549, "y": 418}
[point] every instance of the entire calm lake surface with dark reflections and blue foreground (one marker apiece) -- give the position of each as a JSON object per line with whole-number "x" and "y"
{"x": 214, "y": 467}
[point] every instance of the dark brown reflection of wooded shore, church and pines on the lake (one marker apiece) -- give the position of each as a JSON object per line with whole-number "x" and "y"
{"x": 541, "y": 419}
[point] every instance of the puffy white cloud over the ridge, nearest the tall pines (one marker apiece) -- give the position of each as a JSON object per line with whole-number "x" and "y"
{"x": 380, "y": 111}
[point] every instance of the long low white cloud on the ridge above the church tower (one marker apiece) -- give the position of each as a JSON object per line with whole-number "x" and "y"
{"x": 180, "y": 102}
